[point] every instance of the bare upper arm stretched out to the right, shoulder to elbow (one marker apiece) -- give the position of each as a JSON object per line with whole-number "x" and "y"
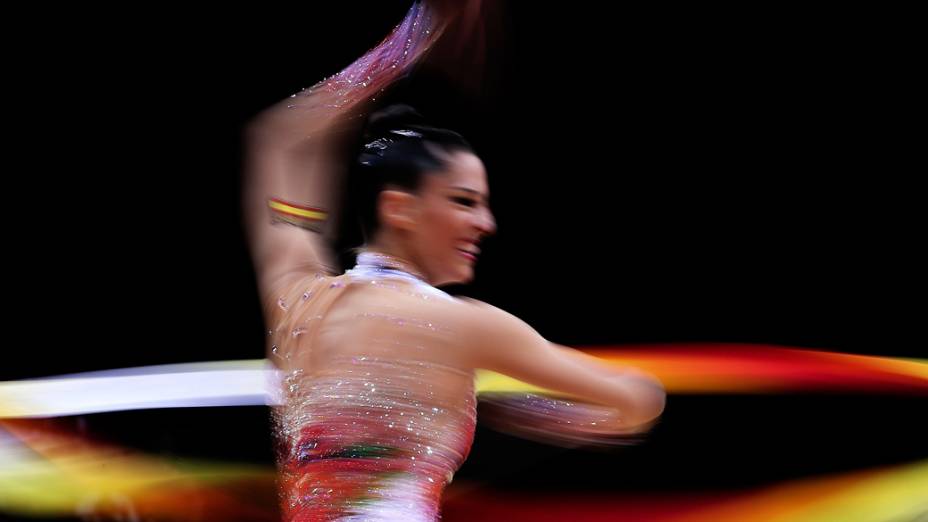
{"x": 501, "y": 342}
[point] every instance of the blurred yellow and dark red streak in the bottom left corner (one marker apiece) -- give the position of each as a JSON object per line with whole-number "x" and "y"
{"x": 48, "y": 471}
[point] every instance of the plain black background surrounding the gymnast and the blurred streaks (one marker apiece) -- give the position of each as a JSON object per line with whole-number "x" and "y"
{"x": 657, "y": 175}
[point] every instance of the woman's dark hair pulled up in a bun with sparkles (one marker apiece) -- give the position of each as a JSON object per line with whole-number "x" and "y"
{"x": 397, "y": 149}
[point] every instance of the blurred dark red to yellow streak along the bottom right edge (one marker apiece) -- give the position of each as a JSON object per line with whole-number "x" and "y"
{"x": 887, "y": 494}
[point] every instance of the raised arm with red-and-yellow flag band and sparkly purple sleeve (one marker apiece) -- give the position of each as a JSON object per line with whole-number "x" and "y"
{"x": 293, "y": 174}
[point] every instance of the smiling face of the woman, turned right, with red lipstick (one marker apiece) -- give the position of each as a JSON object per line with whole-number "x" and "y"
{"x": 453, "y": 216}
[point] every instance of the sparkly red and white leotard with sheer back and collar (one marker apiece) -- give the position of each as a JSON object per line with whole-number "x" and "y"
{"x": 373, "y": 420}
